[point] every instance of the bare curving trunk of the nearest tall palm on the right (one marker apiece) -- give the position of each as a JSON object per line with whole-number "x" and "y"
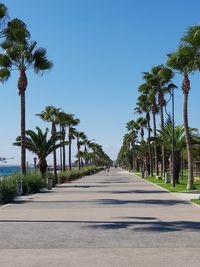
{"x": 188, "y": 143}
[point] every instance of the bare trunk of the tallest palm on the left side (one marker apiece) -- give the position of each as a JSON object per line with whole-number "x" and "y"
{"x": 23, "y": 135}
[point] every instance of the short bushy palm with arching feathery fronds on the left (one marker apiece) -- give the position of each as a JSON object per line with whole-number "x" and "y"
{"x": 38, "y": 143}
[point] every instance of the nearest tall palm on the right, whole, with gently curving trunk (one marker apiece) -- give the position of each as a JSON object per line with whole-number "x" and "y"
{"x": 184, "y": 60}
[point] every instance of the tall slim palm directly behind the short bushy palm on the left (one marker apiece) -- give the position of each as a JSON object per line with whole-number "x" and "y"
{"x": 50, "y": 114}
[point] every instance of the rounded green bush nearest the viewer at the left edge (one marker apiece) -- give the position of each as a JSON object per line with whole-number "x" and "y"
{"x": 8, "y": 190}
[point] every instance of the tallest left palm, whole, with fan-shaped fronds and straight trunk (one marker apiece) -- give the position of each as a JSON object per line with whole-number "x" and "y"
{"x": 22, "y": 55}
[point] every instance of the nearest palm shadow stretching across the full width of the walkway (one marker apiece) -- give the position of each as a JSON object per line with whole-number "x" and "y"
{"x": 139, "y": 225}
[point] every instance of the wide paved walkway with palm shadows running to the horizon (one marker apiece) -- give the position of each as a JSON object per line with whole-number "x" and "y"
{"x": 108, "y": 219}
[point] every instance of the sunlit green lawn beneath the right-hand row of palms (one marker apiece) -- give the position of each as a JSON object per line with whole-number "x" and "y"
{"x": 181, "y": 187}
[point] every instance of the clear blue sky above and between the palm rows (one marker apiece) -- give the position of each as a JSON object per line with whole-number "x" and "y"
{"x": 99, "y": 49}
